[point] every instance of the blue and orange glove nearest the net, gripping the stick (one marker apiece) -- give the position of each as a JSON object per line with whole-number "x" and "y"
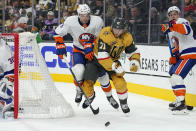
{"x": 61, "y": 49}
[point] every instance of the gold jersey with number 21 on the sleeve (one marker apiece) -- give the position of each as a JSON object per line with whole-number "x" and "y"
{"x": 108, "y": 48}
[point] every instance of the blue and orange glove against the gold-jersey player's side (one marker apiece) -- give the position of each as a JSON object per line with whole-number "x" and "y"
{"x": 88, "y": 51}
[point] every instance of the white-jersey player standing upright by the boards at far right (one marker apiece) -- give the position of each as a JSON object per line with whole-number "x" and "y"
{"x": 183, "y": 55}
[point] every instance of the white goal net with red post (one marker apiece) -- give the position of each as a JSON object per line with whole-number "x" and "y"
{"x": 35, "y": 95}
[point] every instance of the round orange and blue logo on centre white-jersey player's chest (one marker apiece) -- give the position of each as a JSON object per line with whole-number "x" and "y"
{"x": 86, "y": 37}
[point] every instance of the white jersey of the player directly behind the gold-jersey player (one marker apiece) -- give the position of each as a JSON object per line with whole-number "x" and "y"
{"x": 73, "y": 27}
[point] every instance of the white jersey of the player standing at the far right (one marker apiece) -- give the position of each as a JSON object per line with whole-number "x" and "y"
{"x": 182, "y": 38}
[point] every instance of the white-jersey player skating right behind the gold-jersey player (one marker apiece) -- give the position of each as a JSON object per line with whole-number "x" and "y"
{"x": 84, "y": 27}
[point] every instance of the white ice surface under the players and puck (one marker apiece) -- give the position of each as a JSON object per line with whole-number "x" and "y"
{"x": 147, "y": 114}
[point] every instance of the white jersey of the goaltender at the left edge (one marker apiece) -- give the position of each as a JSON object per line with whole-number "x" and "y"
{"x": 6, "y": 60}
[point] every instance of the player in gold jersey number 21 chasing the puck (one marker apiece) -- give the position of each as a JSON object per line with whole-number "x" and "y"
{"x": 109, "y": 45}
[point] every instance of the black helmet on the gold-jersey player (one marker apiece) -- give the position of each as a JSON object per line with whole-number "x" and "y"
{"x": 119, "y": 23}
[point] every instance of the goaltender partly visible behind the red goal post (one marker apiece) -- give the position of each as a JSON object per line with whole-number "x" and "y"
{"x": 6, "y": 76}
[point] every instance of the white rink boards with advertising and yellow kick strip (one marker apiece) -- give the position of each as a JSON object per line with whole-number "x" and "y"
{"x": 151, "y": 80}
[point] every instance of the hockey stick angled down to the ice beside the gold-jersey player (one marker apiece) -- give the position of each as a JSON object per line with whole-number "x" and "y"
{"x": 95, "y": 112}
